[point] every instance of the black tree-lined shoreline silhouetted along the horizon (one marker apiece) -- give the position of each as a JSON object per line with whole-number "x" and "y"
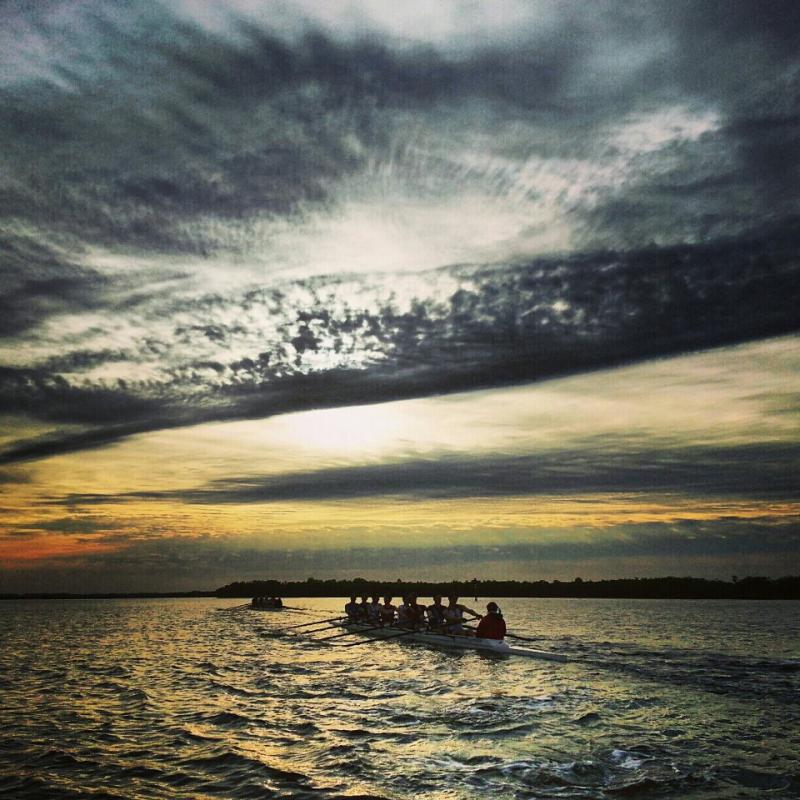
{"x": 748, "y": 588}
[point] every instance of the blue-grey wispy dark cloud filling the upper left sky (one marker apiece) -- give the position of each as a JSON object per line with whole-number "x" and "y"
{"x": 150, "y": 123}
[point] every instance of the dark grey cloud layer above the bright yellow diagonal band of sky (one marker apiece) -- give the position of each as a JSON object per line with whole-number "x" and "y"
{"x": 142, "y": 131}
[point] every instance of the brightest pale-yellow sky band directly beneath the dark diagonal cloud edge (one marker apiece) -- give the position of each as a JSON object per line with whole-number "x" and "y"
{"x": 723, "y": 397}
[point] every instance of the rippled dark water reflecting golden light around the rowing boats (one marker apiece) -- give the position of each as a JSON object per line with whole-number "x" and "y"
{"x": 195, "y": 699}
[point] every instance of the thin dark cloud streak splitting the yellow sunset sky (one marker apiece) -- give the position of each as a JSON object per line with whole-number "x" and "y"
{"x": 596, "y": 466}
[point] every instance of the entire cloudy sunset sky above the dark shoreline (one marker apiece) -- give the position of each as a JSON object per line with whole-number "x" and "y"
{"x": 423, "y": 291}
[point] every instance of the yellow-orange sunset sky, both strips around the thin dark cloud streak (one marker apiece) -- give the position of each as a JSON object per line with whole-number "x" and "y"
{"x": 722, "y": 398}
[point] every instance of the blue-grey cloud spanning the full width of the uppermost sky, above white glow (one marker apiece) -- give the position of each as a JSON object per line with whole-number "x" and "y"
{"x": 140, "y": 122}
